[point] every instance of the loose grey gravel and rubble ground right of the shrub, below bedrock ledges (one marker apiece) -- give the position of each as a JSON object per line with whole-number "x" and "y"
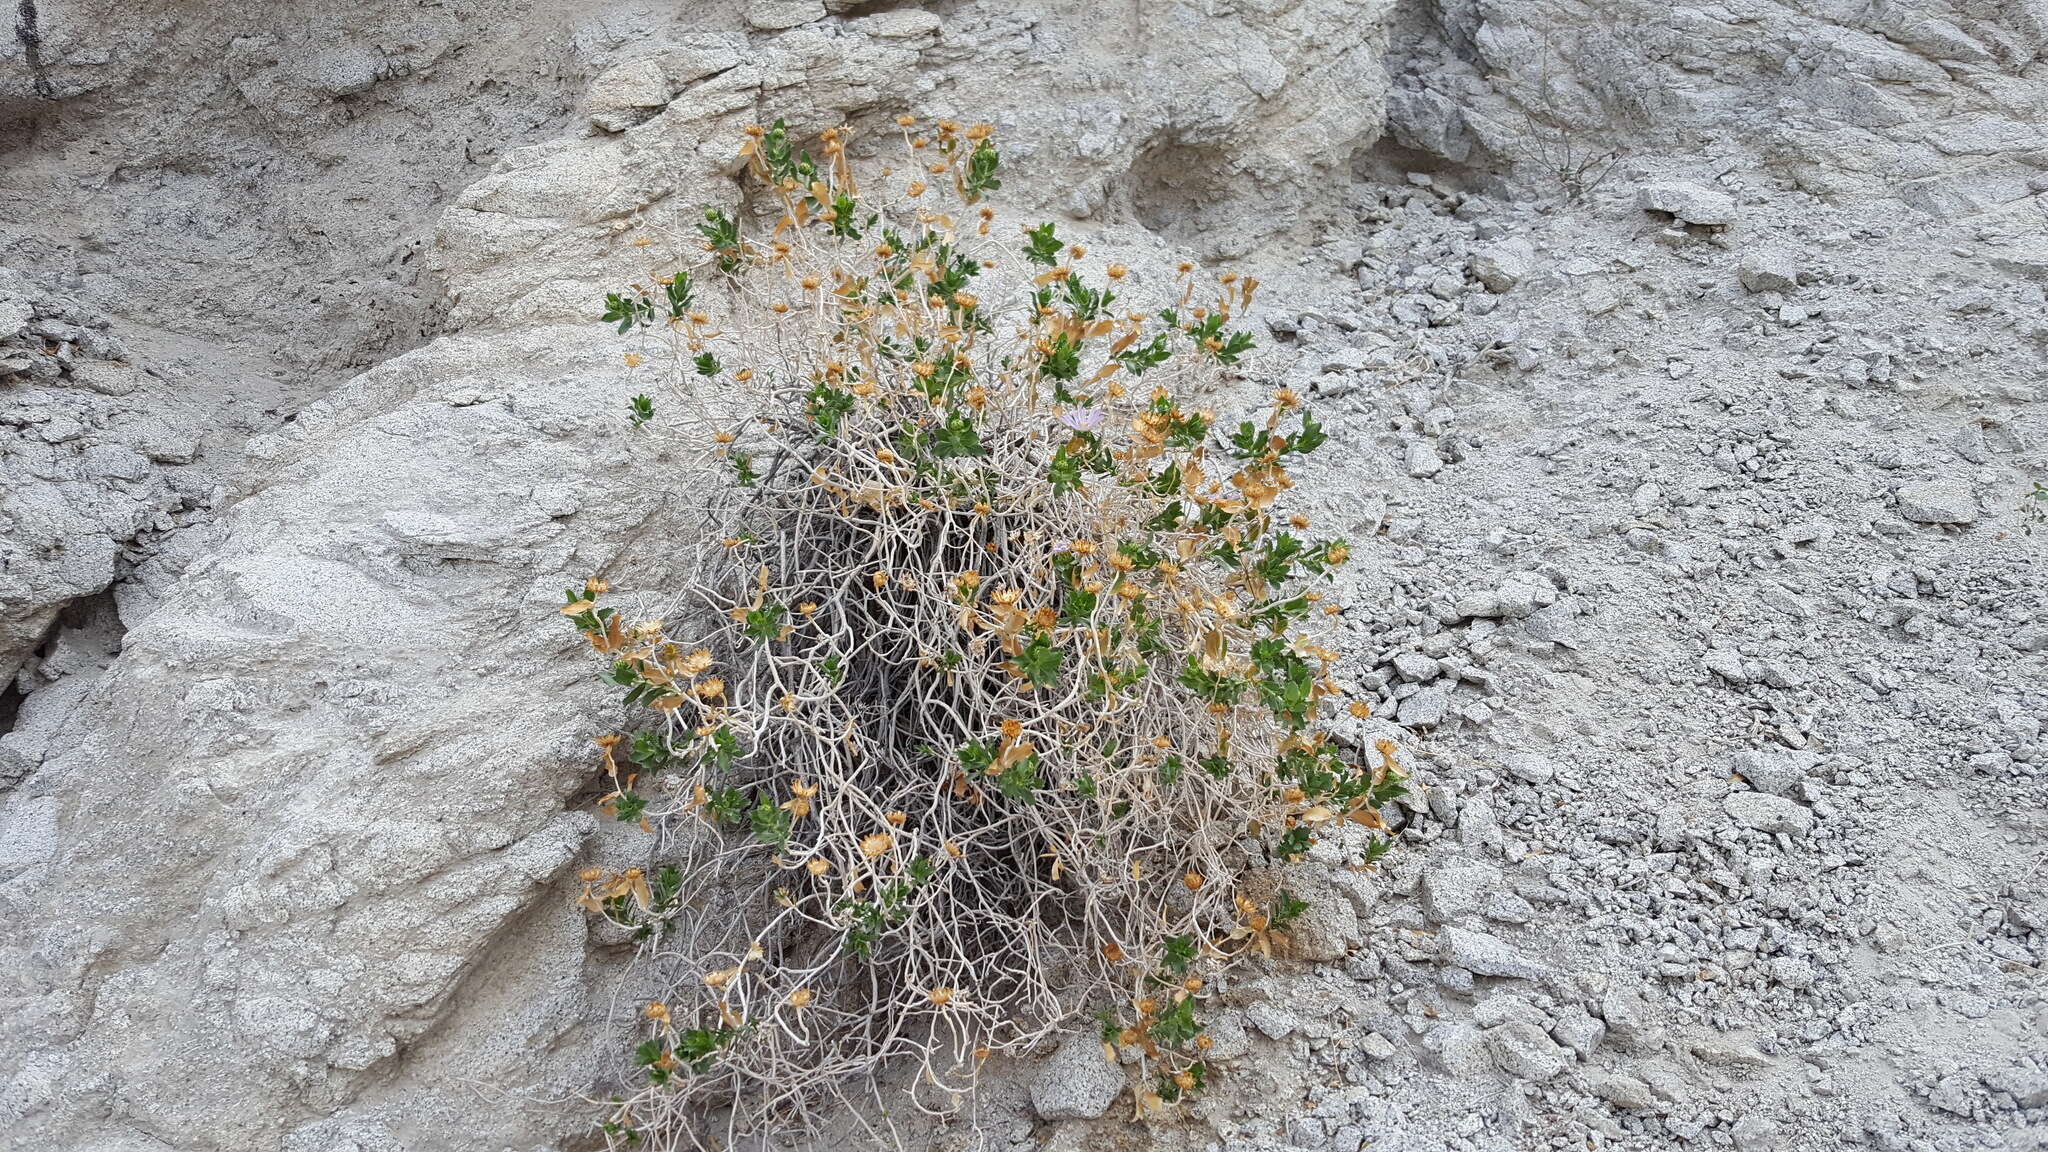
{"x": 1721, "y": 614}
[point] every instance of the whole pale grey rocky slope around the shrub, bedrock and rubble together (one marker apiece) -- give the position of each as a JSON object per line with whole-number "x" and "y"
{"x": 1691, "y": 376}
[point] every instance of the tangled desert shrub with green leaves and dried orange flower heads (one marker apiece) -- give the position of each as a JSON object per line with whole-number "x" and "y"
{"x": 992, "y": 680}
